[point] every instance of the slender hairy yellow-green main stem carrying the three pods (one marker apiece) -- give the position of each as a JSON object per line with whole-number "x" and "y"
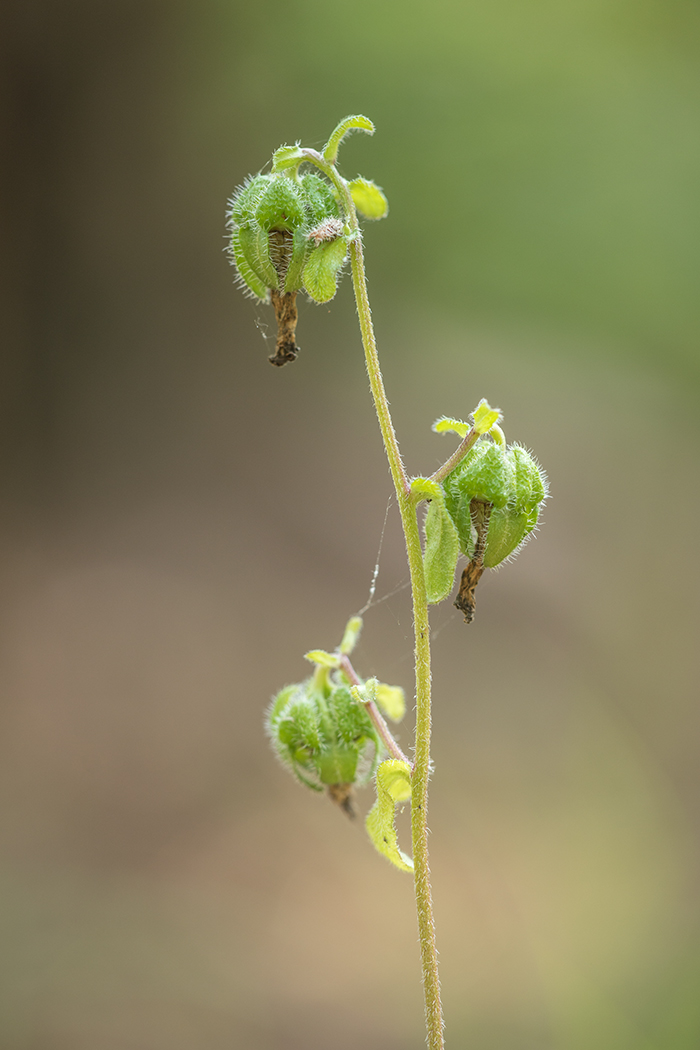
{"x": 422, "y": 633}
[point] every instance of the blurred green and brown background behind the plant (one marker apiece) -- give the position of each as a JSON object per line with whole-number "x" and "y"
{"x": 180, "y": 523}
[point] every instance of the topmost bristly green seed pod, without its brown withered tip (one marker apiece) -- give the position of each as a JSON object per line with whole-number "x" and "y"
{"x": 287, "y": 234}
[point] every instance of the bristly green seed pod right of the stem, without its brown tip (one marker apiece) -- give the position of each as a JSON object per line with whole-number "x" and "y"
{"x": 507, "y": 481}
